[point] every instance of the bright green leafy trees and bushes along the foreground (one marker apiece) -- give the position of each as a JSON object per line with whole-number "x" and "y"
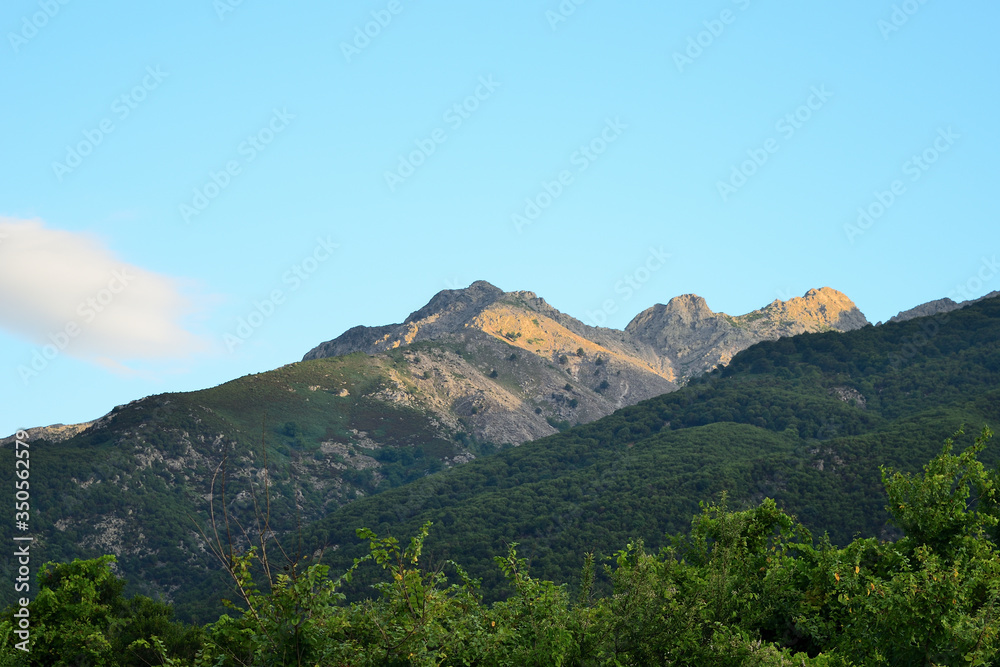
{"x": 748, "y": 587}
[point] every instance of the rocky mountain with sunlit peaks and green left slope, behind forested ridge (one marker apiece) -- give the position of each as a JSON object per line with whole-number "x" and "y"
{"x": 471, "y": 373}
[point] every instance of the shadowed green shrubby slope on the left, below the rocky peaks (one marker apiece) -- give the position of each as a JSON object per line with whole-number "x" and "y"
{"x": 92, "y": 485}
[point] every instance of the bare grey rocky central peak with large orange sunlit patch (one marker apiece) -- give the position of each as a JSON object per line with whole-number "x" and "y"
{"x": 507, "y": 367}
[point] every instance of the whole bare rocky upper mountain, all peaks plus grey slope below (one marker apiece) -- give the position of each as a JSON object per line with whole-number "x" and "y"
{"x": 659, "y": 350}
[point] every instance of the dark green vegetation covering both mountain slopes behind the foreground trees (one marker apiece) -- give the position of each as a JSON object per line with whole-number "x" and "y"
{"x": 771, "y": 424}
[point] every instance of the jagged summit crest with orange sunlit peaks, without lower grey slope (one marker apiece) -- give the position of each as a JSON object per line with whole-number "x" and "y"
{"x": 678, "y": 339}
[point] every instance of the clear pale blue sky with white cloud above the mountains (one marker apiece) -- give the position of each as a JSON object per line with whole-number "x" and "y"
{"x": 170, "y": 169}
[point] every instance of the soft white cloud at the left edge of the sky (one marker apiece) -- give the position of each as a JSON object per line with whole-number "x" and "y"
{"x": 66, "y": 289}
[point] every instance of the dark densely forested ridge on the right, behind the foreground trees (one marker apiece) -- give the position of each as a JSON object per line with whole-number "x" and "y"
{"x": 805, "y": 420}
